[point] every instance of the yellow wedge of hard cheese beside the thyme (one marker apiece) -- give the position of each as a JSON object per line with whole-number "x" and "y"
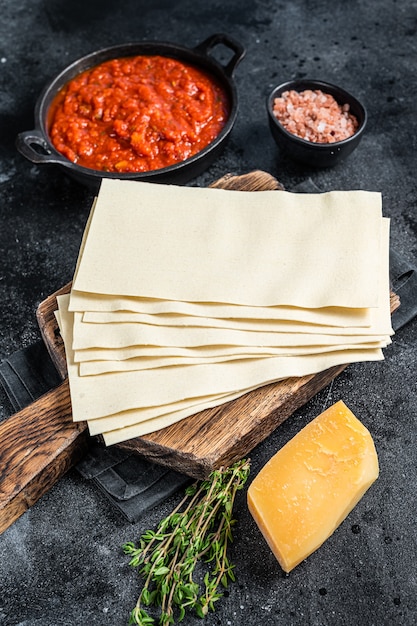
{"x": 309, "y": 487}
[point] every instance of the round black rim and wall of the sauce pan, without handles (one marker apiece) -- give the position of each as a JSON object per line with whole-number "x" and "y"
{"x": 162, "y": 48}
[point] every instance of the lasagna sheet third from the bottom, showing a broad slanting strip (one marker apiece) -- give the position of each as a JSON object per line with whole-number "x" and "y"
{"x": 99, "y": 396}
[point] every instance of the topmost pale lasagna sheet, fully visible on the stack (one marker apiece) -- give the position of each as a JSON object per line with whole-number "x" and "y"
{"x": 163, "y": 241}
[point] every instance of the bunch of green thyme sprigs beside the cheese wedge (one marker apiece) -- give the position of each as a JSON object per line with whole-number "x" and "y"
{"x": 198, "y": 531}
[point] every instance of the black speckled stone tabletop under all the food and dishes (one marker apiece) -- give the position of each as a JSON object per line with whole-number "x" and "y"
{"x": 61, "y": 563}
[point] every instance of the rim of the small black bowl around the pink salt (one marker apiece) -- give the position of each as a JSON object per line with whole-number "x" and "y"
{"x": 337, "y": 92}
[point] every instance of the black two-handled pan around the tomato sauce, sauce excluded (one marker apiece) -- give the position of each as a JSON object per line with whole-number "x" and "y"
{"x": 36, "y": 145}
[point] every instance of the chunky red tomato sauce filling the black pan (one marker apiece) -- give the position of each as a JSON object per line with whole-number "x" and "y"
{"x": 137, "y": 114}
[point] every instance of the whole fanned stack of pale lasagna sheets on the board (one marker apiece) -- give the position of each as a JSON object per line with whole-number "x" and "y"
{"x": 185, "y": 298}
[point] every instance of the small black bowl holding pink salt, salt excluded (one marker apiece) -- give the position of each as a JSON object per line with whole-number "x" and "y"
{"x": 307, "y": 152}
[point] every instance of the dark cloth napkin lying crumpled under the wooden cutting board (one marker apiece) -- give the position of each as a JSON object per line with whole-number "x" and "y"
{"x": 133, "y": 484}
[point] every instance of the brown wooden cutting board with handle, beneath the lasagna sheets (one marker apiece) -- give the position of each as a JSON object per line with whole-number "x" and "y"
{"x": 40, "y": 443}
